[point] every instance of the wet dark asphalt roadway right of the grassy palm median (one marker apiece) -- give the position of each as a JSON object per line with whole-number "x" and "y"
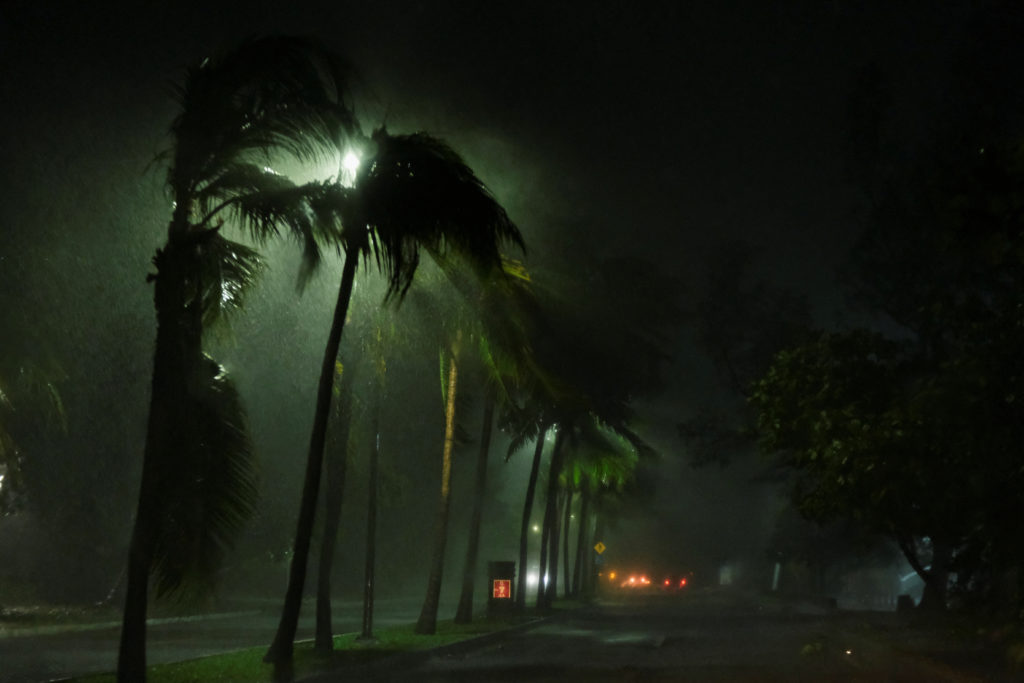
{"x": 694, "y": 638}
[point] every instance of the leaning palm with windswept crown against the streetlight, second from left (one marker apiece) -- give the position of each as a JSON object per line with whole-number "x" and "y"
{"x": 411, "y": 193}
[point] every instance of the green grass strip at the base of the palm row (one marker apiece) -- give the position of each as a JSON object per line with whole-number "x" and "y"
{"x": 248, "y": 667}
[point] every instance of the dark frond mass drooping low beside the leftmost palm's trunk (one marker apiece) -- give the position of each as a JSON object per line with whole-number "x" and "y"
{"x": 208, "y": 494}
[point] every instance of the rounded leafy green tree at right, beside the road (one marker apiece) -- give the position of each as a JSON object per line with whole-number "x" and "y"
{"x": 877, "y": 433}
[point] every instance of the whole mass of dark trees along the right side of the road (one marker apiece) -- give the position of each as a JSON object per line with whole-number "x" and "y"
{"x": 899, "y": 424}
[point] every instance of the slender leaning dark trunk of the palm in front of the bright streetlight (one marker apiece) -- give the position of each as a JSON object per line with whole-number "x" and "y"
{"x": 282, "y": 649}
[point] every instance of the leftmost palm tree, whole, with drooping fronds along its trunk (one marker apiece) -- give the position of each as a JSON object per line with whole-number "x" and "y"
{"x": 269, "y": 97}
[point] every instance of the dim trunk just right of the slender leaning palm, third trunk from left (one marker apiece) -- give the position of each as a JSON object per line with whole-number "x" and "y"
{"x": 335, "y": 468}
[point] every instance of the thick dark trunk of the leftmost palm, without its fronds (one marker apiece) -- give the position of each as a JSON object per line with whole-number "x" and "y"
{"x": 178, "y": 355}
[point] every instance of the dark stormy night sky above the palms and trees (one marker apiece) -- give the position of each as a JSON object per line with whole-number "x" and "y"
{"x": 661, "y": 131}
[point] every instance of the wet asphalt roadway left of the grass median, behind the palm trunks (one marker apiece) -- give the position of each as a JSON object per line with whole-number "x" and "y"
{"x": 44, "y": 655}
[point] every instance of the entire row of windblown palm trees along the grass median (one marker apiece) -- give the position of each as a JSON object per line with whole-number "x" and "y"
{"x": 242, "y": 114}
